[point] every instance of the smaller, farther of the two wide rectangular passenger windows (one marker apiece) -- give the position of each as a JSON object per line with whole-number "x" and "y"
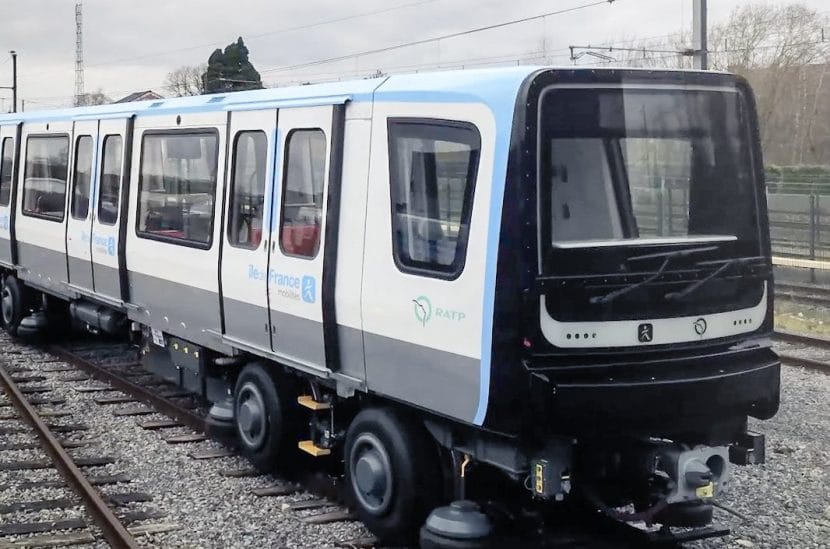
{"x": 45, "y": 175}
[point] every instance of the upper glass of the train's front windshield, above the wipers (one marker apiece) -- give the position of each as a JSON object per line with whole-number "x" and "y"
{"x": 618, "y": 164}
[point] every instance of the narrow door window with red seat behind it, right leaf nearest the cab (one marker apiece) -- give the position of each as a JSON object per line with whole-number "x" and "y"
{"x": 302, "y": 194}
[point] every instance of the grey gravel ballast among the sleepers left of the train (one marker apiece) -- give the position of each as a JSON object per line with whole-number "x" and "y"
{"x": 210, "y": 509}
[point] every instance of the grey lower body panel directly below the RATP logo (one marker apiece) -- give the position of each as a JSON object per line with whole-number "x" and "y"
{"x": 437, "y": 380}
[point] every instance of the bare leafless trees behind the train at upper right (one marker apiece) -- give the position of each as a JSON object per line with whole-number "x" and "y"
{"x": 782, "y": 51}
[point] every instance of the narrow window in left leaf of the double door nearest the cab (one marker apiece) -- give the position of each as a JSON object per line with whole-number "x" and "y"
{"x": 248, "y": 189}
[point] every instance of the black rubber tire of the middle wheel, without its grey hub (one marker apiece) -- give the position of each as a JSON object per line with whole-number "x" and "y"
{"x": 280, "y": 440}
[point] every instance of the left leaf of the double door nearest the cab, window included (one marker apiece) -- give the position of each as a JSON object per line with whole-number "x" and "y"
{"x": 245, "y": 239}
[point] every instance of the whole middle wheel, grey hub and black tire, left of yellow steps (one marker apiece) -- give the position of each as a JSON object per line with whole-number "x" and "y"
{"x": 263, "y": 420}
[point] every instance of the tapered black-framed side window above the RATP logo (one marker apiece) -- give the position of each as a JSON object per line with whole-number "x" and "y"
{"x": 432, "y": 167}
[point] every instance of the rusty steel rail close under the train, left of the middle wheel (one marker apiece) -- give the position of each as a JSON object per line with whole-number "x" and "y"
{"x": 161, "y": 404}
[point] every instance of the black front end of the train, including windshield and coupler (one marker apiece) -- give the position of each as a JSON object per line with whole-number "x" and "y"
{"x": 634, "y": 290}
